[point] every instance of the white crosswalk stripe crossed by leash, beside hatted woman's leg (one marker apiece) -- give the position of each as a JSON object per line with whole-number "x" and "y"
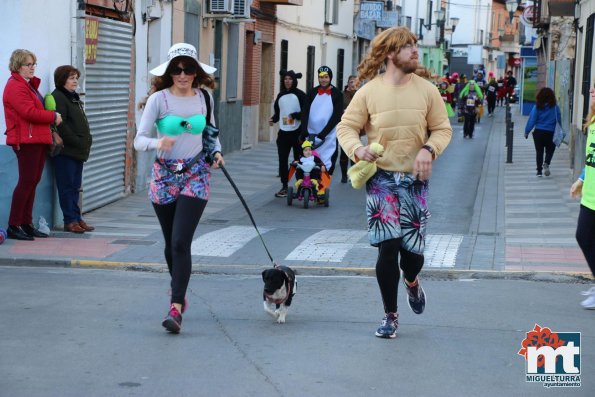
{"x": 224, "y": 242}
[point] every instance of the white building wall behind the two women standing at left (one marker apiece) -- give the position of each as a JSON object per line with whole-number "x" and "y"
{"x": 24, "y": 24}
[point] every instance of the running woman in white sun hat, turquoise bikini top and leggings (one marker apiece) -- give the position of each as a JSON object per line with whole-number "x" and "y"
{"x": 180, "y": 183}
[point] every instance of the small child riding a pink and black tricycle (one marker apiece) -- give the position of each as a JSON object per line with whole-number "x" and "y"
{"x": 308, "y": 171}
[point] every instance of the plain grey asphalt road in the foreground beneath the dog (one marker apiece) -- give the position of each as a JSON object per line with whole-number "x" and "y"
{"x": 69, "y": 332}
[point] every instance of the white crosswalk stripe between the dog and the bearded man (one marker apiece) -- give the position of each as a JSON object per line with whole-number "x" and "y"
{"x": 326, "y": 246}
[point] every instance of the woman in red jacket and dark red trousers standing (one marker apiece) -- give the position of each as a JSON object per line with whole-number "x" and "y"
{"x": 28, "y": 132}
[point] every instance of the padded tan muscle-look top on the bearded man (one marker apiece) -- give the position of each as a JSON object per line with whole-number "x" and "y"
{"x": 405, "y": 117}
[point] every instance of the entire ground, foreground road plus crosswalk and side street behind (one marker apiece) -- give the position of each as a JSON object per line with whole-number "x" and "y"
{"x": 500, "y": 259}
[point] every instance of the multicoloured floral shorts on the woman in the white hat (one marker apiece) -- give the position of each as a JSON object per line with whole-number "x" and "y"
{"x": 165, "y": 187}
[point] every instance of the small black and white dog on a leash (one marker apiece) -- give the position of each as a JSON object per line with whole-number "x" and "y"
{"x": 279, "y": 288}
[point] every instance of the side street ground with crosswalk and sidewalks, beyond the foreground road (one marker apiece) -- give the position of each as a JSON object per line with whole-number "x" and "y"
{"x": 518, "y": 223}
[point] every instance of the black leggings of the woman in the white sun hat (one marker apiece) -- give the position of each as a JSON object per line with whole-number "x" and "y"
{"x": 178, "y": 222}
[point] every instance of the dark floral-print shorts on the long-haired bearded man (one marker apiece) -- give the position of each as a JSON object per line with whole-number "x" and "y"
{"x": 396, "y": 206}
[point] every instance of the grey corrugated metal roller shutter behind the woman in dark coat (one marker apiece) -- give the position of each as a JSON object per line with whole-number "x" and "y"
{"x": 107, "y": 86}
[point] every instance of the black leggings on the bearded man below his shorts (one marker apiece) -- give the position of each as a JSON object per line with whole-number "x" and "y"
{"x": 387, "y": 270}
